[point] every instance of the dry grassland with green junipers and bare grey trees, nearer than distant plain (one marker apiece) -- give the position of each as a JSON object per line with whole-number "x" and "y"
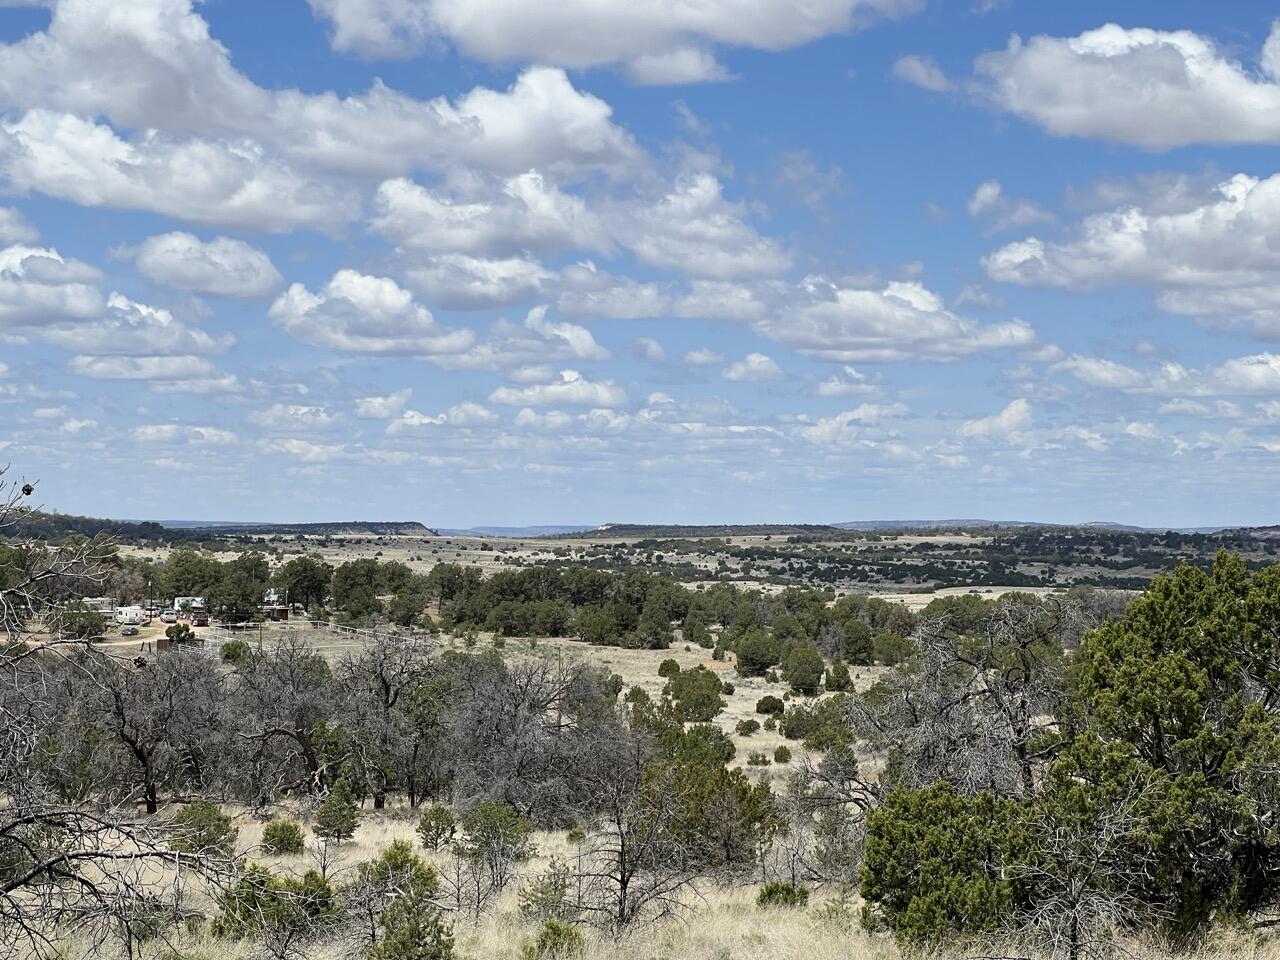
{"x": 1064, "y": 775}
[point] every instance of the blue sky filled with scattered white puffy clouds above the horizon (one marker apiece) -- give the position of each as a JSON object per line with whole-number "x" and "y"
{"x": 487, "y": 262}
